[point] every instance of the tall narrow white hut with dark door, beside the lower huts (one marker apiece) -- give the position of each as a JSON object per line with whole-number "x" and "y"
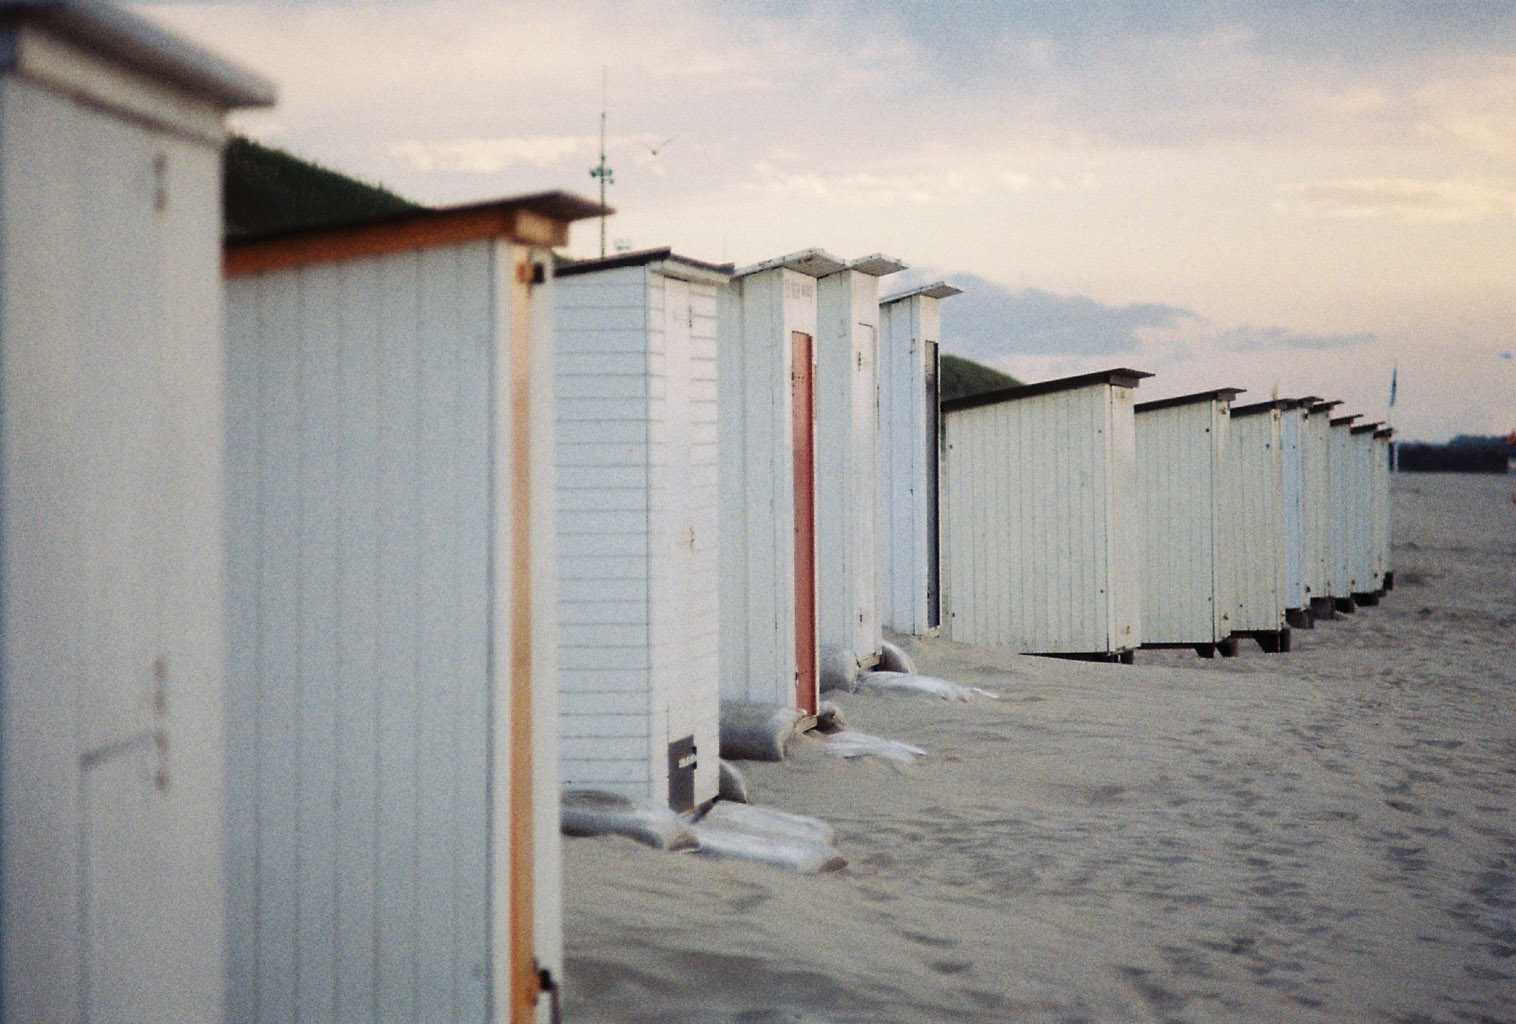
{"x": 910, "y": 333}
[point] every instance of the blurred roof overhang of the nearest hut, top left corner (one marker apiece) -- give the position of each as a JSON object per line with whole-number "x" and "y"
{"x": 128, "y": 40}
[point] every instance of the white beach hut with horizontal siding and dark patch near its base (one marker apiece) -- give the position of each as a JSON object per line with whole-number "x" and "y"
{"x": 634, "y": 342}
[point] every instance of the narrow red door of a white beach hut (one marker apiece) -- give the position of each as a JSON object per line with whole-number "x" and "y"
{"x": 803, "y": 412}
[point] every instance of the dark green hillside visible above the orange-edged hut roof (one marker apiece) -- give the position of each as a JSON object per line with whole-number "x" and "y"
{"x": 271, "y": 192}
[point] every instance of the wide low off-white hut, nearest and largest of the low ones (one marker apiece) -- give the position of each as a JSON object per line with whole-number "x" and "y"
{"x": 1042, "y": 545}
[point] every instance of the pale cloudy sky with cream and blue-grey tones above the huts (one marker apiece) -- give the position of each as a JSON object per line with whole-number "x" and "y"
{"x": 1292, "y": 198}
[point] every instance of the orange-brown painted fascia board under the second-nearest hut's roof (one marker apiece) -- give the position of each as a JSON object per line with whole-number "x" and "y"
{"x": 422, "y": 231}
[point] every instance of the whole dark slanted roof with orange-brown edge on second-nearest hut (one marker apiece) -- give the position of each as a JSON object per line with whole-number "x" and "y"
{"x": 540, "y": 219}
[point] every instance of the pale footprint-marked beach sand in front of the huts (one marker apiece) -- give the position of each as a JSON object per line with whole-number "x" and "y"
{"x": 1326, "y": 835}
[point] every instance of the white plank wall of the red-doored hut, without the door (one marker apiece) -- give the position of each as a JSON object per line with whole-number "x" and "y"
{"x": 759, "y": 312}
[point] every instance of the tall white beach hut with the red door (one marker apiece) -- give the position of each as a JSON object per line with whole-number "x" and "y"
{"x": 766, "y": 371}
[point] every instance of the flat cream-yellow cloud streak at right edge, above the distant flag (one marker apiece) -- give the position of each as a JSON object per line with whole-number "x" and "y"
{"x": 1403, "y": 198}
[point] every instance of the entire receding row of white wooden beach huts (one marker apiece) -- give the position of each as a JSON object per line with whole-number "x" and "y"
{"x": 330, "y": 559}
